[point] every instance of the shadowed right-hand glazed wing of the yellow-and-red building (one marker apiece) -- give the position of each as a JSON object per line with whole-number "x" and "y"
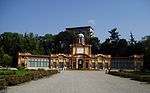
{"x": 134, "y": 62}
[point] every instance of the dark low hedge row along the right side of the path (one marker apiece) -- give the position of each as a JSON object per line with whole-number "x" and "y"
{"x": 132, "y": 76}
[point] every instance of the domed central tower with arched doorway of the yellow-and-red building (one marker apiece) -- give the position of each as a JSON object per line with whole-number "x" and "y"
{"x": 81, "y": 53}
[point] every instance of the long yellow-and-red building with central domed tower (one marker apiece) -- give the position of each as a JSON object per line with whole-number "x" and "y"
{"x": 80, "y": 58}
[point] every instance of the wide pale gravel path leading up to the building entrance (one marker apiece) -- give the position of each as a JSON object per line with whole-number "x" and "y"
{"x": 81, "y": 82}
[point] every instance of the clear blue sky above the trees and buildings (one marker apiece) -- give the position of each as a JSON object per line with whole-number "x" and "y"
{"x": 53, "y": 16}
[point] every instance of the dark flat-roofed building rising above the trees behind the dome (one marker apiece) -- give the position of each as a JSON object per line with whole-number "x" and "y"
{"x": 87, "y": 31}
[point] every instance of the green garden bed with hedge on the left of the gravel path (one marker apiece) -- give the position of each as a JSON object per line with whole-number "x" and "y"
{"x": 20, "y": 76}
